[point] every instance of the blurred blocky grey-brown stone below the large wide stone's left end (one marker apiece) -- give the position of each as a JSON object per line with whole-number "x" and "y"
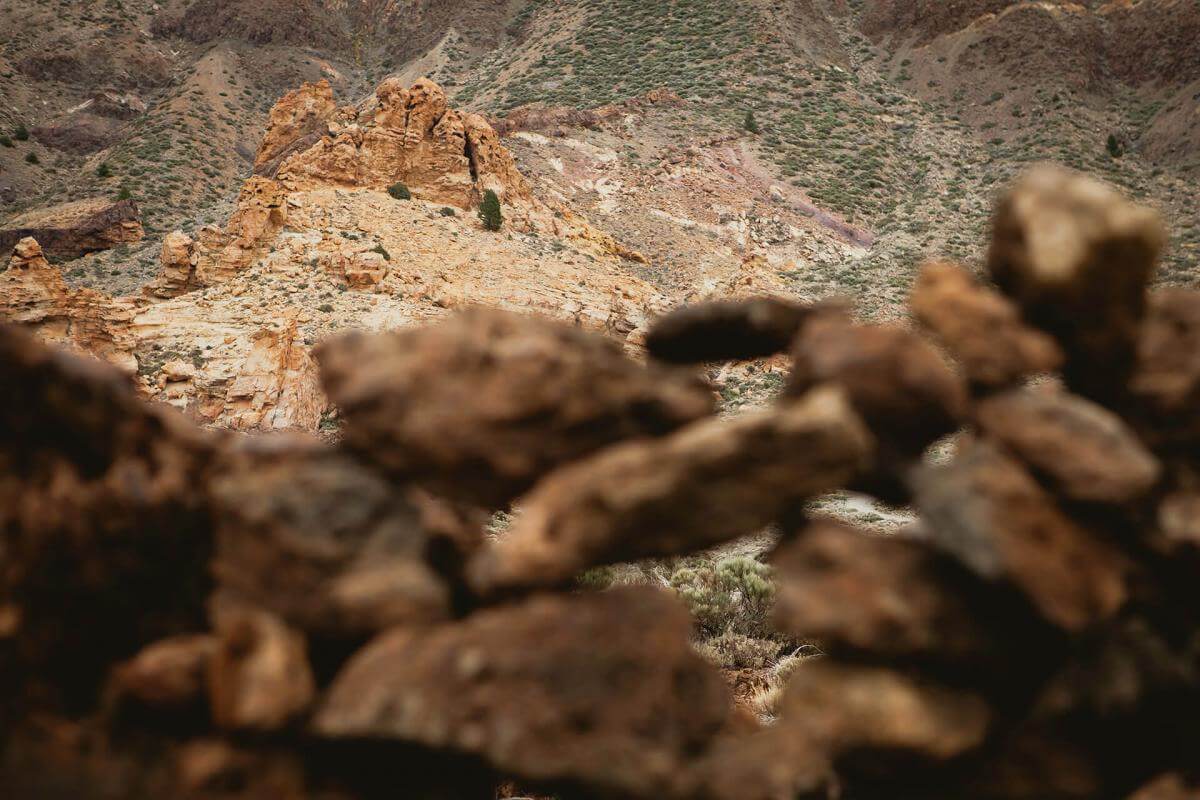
{"x": 322, "y": 543}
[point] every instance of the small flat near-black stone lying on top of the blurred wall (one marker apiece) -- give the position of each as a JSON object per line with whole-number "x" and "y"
{"x": 727, "y": 330}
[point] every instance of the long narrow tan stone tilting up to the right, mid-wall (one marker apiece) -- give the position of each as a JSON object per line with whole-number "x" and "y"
{"x": 712, "y": 482}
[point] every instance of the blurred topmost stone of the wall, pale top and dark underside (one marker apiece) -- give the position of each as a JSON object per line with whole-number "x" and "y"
{"x": 1077, "y": 257}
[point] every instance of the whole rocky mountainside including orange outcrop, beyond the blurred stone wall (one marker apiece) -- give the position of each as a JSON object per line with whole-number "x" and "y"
{"x": 881, "y": 133}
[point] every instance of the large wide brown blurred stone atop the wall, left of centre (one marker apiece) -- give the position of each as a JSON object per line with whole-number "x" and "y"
{"x": 483, "y": 406}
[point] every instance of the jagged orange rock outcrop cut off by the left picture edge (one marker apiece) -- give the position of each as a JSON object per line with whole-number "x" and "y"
{"x": 34, "y": 294}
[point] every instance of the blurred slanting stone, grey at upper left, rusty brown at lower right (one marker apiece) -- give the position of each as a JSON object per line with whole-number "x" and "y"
{"x": 987, "y": 512}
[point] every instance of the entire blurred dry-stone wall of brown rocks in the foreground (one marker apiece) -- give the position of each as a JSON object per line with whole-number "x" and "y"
{"x": 194, "y": 615}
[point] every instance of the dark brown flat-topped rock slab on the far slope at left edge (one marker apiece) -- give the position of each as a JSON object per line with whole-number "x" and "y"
{"x": 75, "y": 230}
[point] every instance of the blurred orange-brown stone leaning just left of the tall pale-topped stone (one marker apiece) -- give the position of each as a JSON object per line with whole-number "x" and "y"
{"x": 981, "y": 328}
